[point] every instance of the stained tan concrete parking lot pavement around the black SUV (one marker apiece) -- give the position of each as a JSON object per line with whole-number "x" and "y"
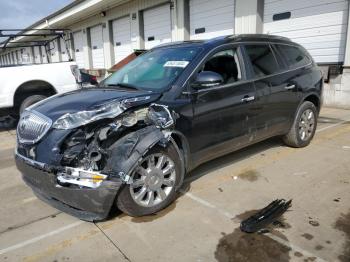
{"x": 203, "y": 224}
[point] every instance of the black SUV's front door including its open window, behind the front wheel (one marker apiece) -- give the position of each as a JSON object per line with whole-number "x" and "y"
{"x": 223, "y": 115}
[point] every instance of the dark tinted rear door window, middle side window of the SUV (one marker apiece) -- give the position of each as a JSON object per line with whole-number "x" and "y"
{"x": 262, "y": 59}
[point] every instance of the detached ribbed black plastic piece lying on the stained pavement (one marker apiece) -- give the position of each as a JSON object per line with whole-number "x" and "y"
{"x": 265, "y": 216}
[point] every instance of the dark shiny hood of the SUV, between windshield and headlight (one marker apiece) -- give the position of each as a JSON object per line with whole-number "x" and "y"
{"x": 86, "y": 99}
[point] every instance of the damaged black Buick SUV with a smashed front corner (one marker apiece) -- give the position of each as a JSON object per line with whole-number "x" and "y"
{"x": 131, "y": 141}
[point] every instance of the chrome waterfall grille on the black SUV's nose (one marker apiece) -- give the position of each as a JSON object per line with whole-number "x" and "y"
{"x": 32, "y": 126}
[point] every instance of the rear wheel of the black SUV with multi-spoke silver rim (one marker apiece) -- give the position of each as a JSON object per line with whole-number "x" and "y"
{"x": 304, "y": 126}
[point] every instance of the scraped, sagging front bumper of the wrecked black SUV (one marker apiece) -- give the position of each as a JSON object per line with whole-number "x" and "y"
{"x": 90, "y": 204}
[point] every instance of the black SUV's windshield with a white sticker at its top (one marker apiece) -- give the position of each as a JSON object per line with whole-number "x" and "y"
{"x": 154, "y": 70}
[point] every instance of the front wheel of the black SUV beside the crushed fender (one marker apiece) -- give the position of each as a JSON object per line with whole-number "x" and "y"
{"x": 154, "y": 182}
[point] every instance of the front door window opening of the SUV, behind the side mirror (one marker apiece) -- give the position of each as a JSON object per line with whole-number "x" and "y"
{"x": 226, "y": 64}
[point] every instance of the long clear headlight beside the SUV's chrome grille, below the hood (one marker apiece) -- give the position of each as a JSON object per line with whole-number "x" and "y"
{"x": 73, "y": 120}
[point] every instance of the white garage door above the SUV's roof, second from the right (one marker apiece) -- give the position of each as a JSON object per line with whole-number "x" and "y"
{"x": 210, "y": 19}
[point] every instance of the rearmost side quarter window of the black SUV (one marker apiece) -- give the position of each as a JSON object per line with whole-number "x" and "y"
{"x": 293, "y": 55}
